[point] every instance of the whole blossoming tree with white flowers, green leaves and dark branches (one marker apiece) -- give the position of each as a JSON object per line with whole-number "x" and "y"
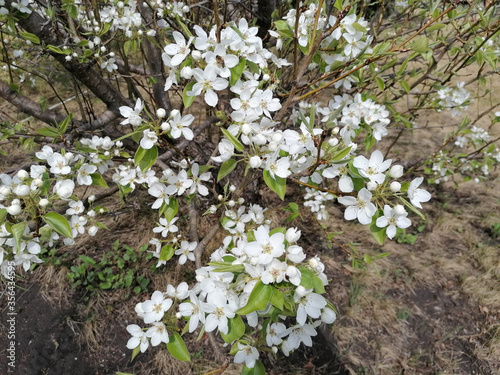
{"x": 192, "y": 103}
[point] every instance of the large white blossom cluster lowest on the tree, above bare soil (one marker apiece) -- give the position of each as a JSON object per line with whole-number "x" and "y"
{"x": 260, "y": 276}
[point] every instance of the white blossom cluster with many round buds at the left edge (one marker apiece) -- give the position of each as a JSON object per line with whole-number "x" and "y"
{"x": 29, "y": 200}
